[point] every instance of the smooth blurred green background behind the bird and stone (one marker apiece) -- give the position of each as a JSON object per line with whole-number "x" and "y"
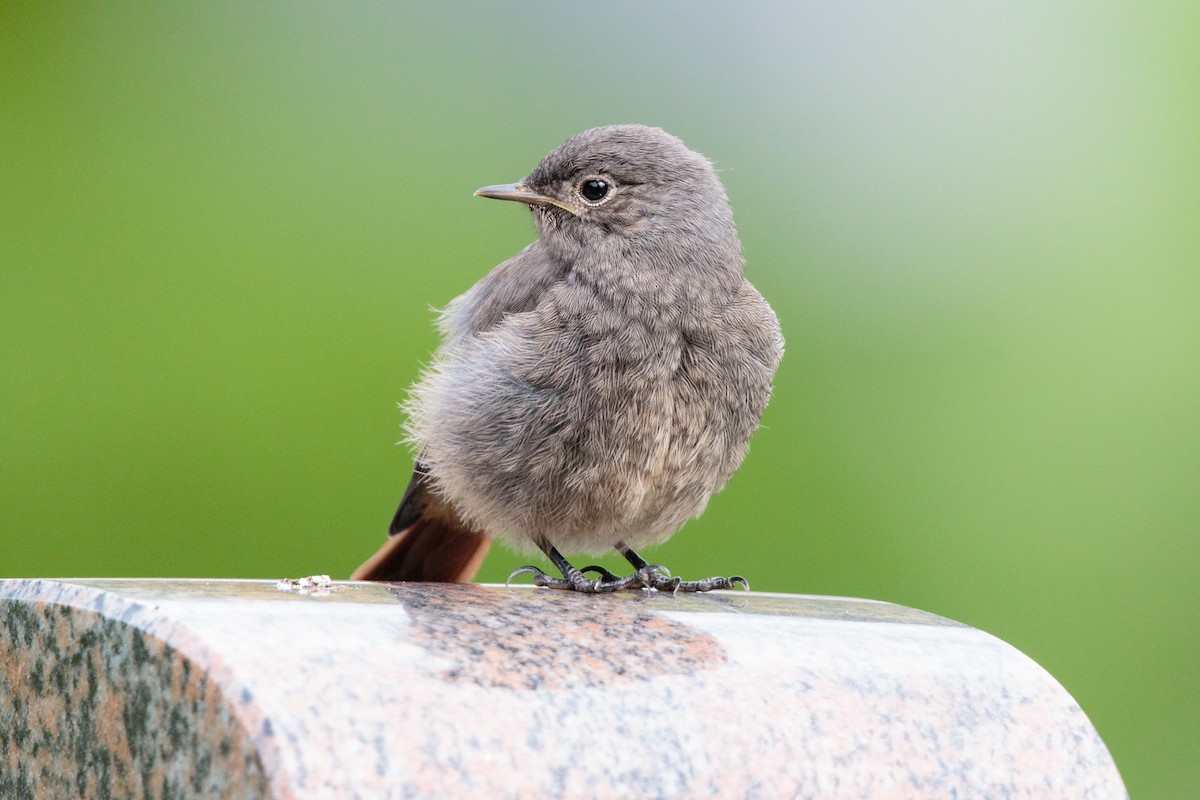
{"x": 223, "y": 228}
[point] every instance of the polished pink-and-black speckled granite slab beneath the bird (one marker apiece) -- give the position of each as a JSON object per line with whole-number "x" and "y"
{"x": 224, "y": 689}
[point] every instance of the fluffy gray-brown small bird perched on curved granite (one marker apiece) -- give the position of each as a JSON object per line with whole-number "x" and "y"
{"x": 598, "y": 388}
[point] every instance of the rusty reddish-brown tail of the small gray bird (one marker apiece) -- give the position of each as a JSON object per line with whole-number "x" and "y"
{"x": 431, "y": 549}
